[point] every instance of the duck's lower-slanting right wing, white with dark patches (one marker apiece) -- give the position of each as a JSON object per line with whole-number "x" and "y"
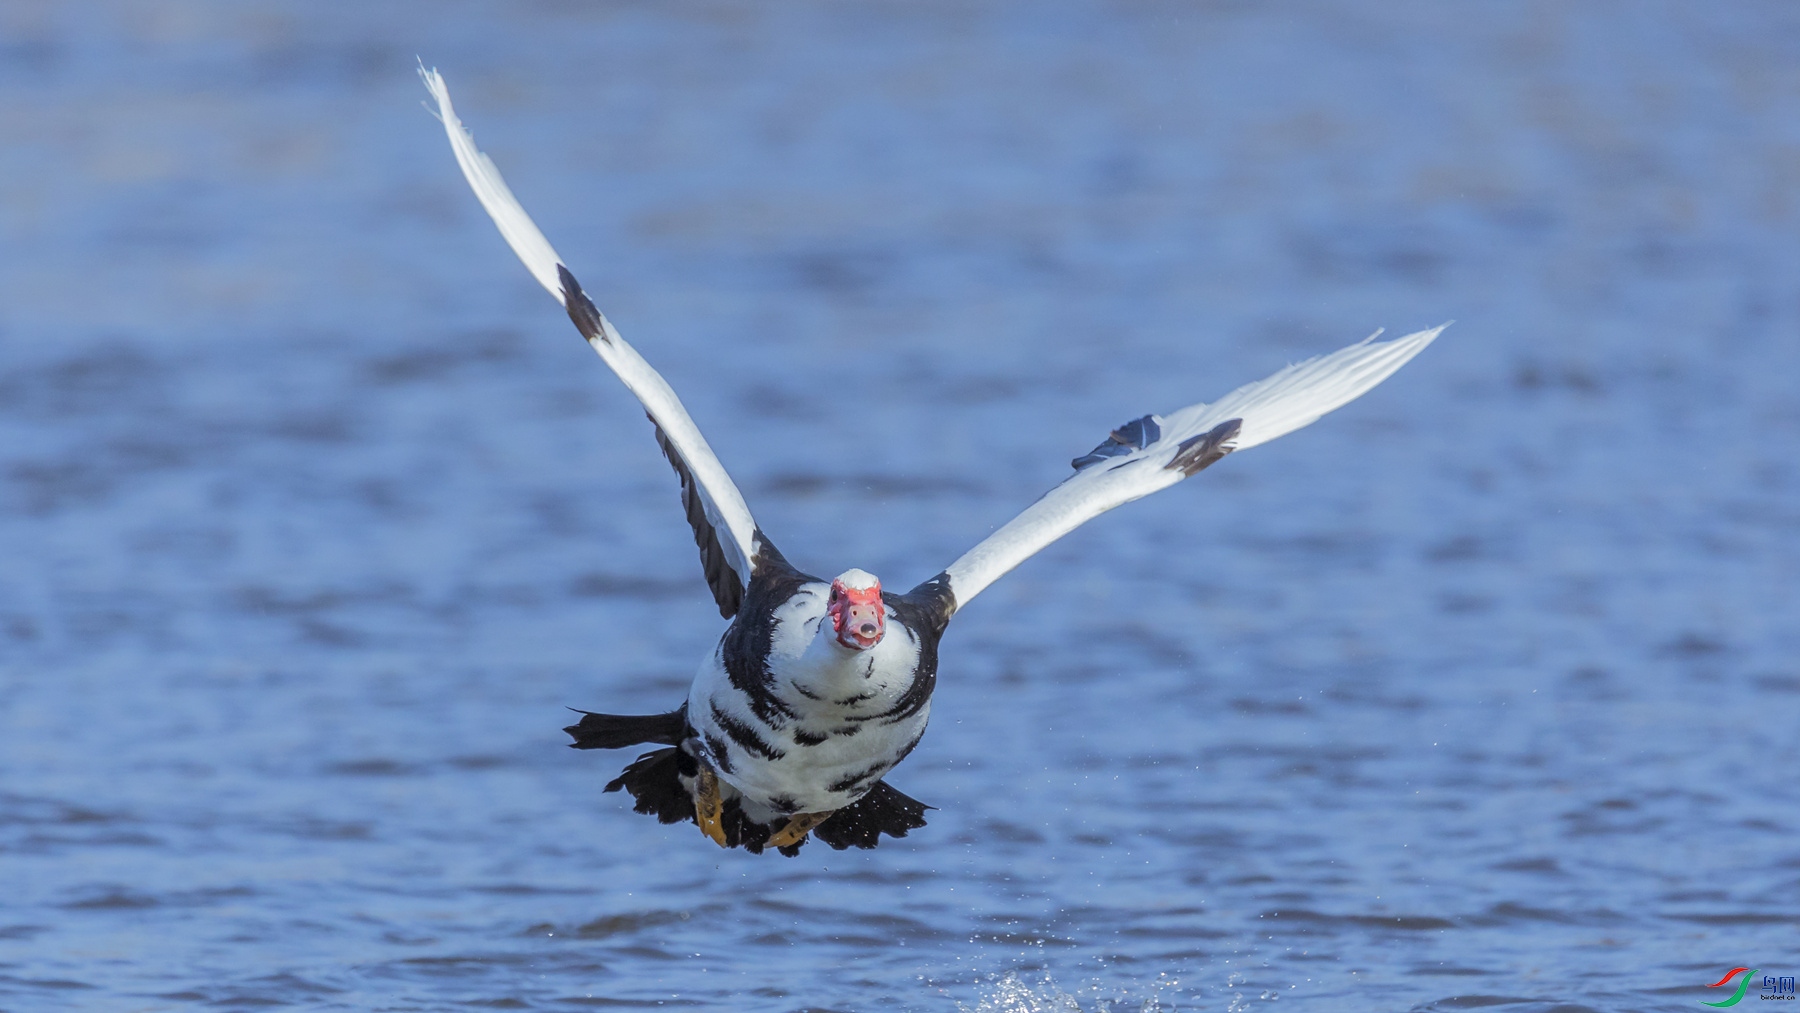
{"x": 1156, "y": 453}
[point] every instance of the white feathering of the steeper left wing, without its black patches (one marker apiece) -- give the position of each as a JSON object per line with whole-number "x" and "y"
{"x": 721, "y": 499}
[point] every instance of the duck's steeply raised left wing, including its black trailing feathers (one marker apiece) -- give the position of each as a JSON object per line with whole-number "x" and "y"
{"x": 723, "y": 524}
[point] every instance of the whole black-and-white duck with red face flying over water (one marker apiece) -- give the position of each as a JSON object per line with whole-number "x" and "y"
{"x": 820, "y": 688}
